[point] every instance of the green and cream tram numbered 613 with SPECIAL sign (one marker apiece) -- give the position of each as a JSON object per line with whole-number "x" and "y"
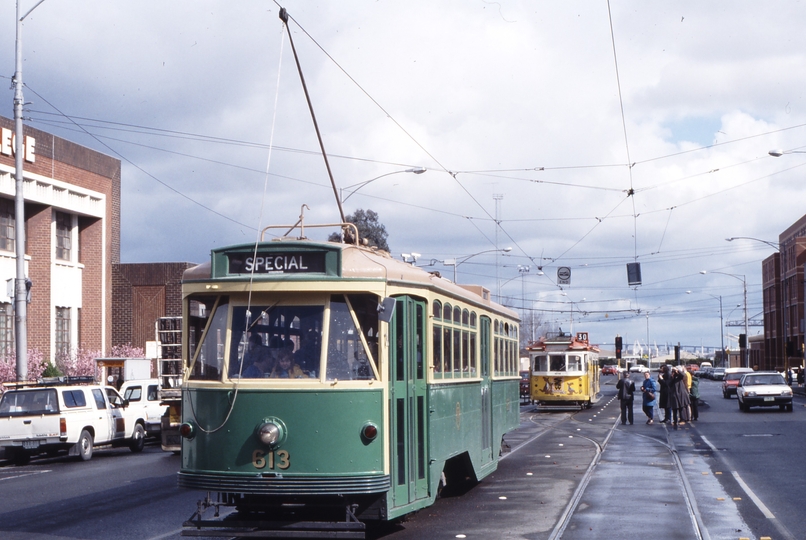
{"x": 383, "y": 383}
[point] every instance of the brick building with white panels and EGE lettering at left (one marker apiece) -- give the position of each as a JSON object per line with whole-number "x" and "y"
{"x": 72, "y": 232}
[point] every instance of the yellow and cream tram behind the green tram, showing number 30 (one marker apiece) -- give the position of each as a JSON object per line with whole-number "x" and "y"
{"x": 564, "y": 371}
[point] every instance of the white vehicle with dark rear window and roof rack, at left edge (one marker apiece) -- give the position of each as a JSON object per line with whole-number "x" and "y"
{"x": 50, "y": 418}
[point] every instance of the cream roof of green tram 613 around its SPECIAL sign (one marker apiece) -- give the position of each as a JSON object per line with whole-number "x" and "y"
{"x": 357, "y": 263}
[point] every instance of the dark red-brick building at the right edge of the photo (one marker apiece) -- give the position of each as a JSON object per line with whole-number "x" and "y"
{"x": 782, "y": 277}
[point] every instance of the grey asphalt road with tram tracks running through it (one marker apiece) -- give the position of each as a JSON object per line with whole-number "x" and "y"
{"x": 569, "y": 475}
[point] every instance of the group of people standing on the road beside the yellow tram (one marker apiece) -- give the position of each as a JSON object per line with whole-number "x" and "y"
{"x": 676, "y": 392}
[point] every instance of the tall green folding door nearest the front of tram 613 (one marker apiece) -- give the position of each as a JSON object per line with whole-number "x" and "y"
{"x": 408, "y": 411}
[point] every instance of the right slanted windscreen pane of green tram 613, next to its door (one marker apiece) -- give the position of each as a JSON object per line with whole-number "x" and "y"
{"x": 346, "y": 357}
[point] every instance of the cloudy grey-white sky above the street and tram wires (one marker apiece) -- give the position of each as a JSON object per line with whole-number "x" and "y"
{"x": 580, "y": 134}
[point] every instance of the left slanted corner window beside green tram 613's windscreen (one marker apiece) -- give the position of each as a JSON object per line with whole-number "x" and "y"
{"x": 207, "y": 357}
